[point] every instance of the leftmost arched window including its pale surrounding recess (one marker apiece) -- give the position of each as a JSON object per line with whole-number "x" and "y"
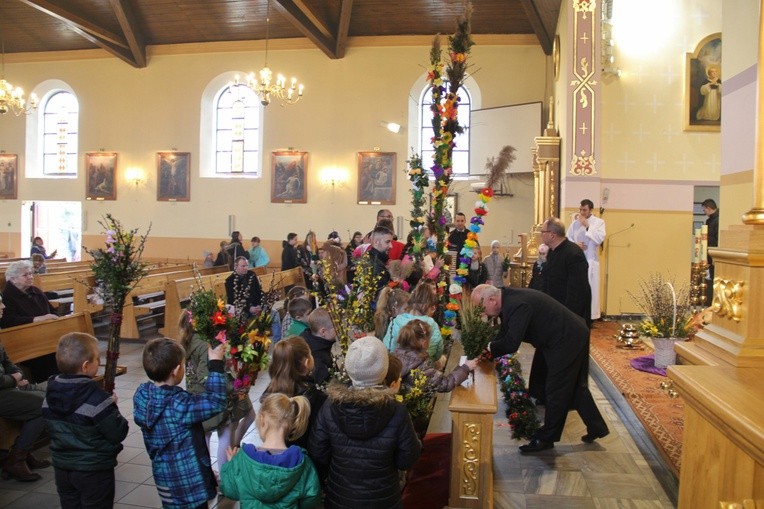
{"x": 52, "y": 132}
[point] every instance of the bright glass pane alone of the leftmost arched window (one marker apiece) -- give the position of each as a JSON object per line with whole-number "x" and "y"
{"x": 59, "y": 134}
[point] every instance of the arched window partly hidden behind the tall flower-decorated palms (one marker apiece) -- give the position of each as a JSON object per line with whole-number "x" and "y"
{"x": 461, "y": 155}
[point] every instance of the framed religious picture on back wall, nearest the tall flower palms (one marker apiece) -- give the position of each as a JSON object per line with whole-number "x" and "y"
{"x": 376, "y": 178}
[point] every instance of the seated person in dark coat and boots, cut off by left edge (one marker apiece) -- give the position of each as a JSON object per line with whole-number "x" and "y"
{"x": 20, "y": 401}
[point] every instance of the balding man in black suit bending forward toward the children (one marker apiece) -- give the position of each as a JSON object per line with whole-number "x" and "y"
{"x": 563, "y": 340}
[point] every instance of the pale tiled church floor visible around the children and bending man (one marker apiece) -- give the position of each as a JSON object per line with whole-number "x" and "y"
{"x": 612, "y": 473}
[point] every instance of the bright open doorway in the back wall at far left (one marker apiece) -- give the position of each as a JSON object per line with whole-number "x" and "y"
{"x": 58, "y": 223}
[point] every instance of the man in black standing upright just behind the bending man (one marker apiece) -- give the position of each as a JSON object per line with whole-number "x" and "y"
{"x": 566, "y": 280}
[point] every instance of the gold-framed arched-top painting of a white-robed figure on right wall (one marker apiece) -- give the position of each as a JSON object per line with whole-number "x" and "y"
{"x": 703, "y": 86}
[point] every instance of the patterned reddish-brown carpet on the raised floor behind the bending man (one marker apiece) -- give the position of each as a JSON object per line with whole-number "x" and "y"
{"x": 661, "y": 416}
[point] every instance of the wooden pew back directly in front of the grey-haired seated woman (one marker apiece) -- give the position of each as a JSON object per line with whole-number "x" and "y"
{"x": 35, "y": 340}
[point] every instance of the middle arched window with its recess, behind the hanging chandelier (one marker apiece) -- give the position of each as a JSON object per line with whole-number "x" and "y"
{"x": 230, "y": 138}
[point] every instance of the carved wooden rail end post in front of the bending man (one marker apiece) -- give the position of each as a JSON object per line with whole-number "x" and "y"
{"x": 472, "y": 410}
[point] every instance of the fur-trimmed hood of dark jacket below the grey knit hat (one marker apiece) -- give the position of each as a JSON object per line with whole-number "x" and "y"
{"x": 361, "y": 413}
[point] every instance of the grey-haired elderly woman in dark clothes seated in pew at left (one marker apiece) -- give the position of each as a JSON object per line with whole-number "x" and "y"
{"x": 25, "y": 303}
